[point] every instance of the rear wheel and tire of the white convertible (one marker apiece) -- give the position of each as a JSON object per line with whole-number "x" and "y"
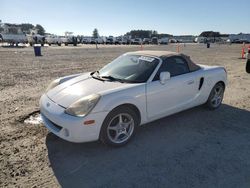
{"x": 216, "y": 96}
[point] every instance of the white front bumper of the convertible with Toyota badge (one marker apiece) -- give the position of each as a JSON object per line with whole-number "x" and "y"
{"x": 68, "y": 127}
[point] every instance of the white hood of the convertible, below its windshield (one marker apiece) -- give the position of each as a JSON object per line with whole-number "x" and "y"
{"x": 70, "y": 91}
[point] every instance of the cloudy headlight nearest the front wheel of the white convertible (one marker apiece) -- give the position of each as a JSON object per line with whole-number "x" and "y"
{"x": 83, "y": 106}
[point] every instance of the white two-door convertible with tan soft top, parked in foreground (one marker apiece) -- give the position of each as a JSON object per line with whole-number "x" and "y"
{"x": 134, "y": 89}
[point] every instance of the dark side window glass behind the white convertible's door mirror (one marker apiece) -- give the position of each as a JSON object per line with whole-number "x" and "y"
{"x": 175, "y": 65}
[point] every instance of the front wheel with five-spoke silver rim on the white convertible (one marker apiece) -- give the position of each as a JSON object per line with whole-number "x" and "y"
{"x": 119, "y": 126}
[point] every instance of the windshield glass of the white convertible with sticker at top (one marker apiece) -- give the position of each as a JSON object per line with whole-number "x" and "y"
{"x": 129, "y": 68}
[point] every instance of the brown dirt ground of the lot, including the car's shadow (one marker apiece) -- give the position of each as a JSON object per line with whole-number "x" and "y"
{"x": 194, "y": 148}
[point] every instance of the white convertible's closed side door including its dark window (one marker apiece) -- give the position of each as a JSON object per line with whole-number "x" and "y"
{"x": 176, "y": 94}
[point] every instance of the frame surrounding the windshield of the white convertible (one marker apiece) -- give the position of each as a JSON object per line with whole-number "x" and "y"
{"x": 150, "y": 78}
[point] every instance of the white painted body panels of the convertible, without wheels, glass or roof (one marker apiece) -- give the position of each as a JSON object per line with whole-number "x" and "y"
{"x": 153, "y": 100}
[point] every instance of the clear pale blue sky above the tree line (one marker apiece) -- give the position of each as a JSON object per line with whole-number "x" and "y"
{"x": 116, "y": 17}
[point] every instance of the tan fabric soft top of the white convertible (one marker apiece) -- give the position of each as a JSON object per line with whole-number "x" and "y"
{"x": 165, "y": 54}
